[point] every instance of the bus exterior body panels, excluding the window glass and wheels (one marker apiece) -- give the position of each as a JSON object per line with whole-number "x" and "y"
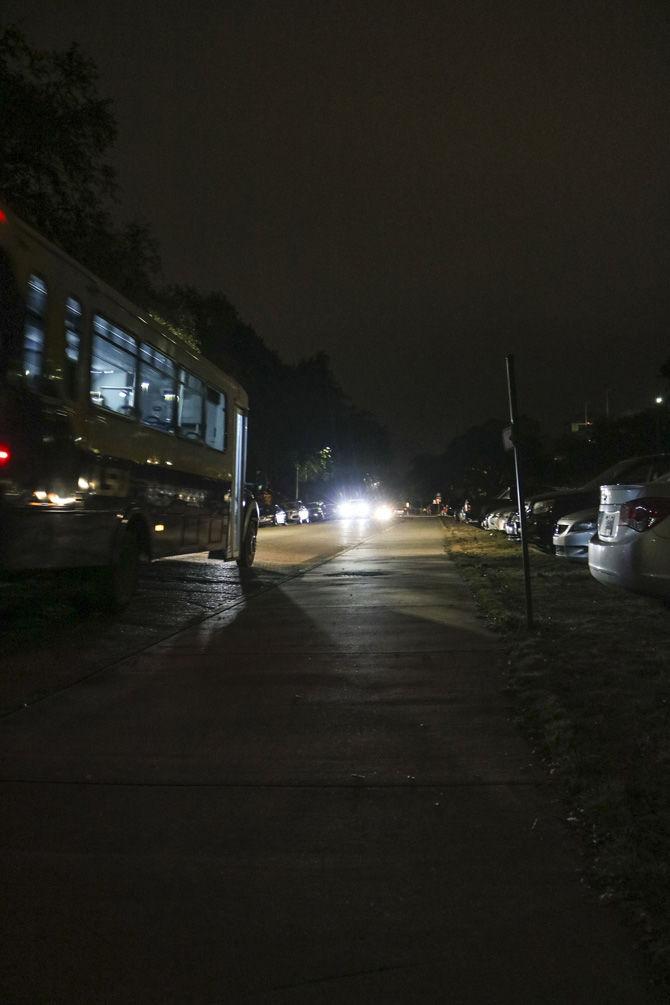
{"x": 79, "y": 473}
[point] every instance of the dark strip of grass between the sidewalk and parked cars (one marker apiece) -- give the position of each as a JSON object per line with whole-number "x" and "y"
{"x": 592, "y": 690}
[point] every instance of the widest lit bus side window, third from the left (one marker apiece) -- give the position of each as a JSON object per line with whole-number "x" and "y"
{"x": 113, "y": 364}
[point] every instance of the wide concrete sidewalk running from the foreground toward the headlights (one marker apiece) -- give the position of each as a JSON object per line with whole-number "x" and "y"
{"x": 319, "y": 797}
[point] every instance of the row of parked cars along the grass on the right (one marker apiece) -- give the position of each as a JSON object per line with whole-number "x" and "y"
{"x": 619, "y": 523}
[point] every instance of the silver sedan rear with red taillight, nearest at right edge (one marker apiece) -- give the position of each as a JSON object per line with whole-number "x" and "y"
{"x": 632, "y": 546}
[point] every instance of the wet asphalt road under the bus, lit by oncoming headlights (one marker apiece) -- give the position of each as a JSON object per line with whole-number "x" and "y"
{"x": 51, "y": 639}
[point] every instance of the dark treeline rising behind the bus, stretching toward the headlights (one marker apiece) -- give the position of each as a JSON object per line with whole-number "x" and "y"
{"x": 57, "y": 134}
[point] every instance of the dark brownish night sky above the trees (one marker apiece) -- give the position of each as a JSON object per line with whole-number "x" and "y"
{"x": 416, "y": 188}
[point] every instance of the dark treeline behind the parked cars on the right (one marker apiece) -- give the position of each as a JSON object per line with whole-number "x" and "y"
{"x": 476, "y": 464}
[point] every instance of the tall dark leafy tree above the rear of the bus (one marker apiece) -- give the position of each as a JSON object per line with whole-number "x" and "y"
{"x": 57, "y": 133}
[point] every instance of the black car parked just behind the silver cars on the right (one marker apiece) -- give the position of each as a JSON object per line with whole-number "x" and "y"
{"x": 545, "y": 509}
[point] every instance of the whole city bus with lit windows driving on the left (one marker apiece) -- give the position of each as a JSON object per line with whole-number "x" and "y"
{"x": 118, "y": 443}
